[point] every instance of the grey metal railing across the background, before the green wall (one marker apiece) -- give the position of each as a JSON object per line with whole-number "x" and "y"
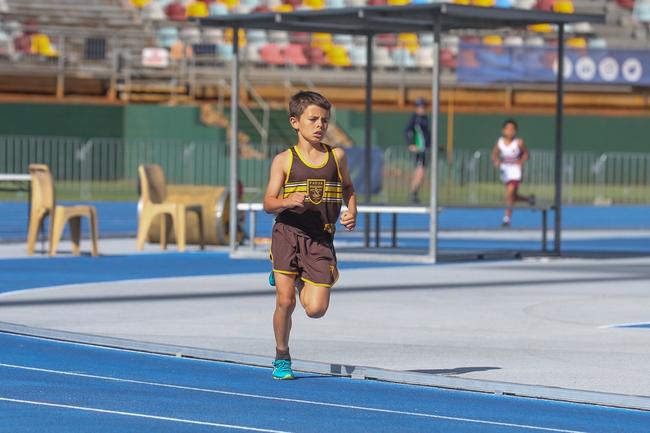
{"x": 104, "y": 168}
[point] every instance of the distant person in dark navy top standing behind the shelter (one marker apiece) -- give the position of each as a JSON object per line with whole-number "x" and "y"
{"x": 418, "y": 140}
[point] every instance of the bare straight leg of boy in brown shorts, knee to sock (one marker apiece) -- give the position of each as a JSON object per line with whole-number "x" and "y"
{"x": 285, "y": 303}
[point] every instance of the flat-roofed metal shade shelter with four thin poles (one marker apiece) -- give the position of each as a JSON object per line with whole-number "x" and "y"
{"x": 373, "y": 20}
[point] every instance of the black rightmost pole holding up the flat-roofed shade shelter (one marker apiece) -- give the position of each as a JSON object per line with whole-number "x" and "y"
{"x": 558, "y": 140}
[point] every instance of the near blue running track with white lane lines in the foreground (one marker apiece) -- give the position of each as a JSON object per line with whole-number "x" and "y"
{"x": 53, "y": 387}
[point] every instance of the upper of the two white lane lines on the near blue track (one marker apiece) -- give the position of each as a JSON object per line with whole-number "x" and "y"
{"x": 291, "y": 400}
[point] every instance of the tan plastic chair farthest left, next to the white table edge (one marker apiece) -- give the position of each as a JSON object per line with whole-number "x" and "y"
{"x": 42, "y": 204}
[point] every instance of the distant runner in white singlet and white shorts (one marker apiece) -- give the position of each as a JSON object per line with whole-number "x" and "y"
{"x": 509, "y": 156}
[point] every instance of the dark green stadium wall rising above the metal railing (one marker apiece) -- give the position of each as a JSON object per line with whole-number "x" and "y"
{"x": 471, "y": 131}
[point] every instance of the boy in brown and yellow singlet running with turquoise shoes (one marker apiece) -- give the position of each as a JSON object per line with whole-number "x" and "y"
{"x": 307, "y": 186}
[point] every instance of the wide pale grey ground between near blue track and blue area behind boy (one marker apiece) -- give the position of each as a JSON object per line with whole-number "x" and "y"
{"x": 535, "y": 322}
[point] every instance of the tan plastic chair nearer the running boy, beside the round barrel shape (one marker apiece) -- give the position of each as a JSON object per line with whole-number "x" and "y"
{"x": 153, "y": 195}
